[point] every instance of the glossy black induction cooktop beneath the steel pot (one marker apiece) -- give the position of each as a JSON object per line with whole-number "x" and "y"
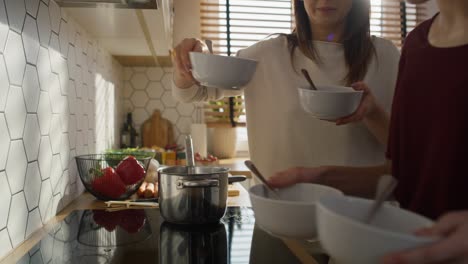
{"x": 142, "y": 237}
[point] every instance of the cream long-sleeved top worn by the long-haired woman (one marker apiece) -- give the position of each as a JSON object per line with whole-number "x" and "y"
{"x": 281, "y": 134}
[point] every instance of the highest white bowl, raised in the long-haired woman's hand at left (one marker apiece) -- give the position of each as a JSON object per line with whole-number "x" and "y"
{"x": 221, "y": 71}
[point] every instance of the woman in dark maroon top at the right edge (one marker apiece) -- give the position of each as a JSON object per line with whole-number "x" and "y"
{"x": 428, "y": 142}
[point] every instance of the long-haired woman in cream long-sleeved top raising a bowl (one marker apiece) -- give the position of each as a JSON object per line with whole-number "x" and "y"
{"x": 332, "y": 41}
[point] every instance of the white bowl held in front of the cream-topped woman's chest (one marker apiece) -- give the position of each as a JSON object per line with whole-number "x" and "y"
{"x": 330, "y": 102}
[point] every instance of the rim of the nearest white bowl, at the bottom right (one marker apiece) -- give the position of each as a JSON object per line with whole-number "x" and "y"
{"x": 371, "y": 228}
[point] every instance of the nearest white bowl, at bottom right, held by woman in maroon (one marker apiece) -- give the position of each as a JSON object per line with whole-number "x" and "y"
{"x": 348, "y": 240}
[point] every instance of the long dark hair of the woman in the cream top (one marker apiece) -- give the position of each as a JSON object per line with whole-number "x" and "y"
{"x": 357, "y": 42}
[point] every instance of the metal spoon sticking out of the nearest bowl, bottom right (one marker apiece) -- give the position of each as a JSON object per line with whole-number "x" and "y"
{"x": 385, "y": 188}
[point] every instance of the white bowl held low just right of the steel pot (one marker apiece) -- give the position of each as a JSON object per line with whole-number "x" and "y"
{"x": 294, "y": 215}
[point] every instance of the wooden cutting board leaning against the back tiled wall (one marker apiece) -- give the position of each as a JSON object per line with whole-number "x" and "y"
{"x": 157, "y": 131}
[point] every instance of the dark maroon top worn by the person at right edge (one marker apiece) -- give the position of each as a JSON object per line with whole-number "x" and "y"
{"x": 428, "y": 142}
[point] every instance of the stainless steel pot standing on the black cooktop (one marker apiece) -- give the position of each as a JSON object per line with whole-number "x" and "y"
{"x": 194, "y": 195}
